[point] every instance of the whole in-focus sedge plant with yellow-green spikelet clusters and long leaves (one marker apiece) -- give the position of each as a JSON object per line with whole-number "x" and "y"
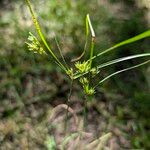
{"x": 84, "y": 70}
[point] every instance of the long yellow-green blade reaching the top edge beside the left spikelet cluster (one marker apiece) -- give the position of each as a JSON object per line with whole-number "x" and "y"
{"x": 37, "y": 26}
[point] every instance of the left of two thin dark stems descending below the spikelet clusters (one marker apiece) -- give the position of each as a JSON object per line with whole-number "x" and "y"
{"x": 68, "y": 101}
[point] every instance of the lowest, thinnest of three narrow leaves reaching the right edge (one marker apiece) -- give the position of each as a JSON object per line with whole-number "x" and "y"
{"x": 120, "y": 71}
